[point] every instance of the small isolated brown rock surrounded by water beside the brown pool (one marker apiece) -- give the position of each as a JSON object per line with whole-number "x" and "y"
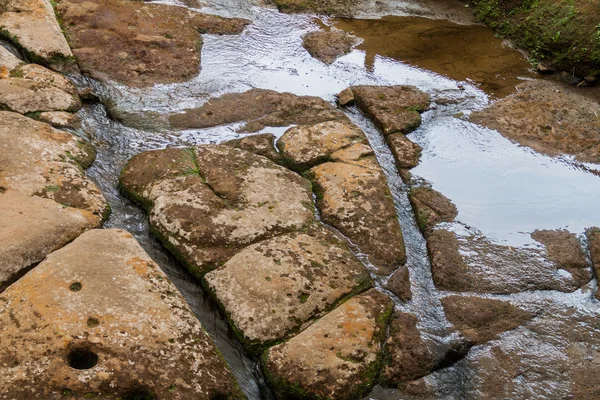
{"x": 328, "y": 46}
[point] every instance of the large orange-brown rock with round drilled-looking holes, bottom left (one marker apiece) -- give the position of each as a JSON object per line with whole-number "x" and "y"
{"x": 99, "y": 319}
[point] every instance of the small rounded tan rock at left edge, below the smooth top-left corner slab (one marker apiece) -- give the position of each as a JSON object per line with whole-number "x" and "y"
{"x": 27, "y": 96}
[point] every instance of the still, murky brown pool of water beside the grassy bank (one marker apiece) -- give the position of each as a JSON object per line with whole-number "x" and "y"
{"x": 456, "y": 51}
